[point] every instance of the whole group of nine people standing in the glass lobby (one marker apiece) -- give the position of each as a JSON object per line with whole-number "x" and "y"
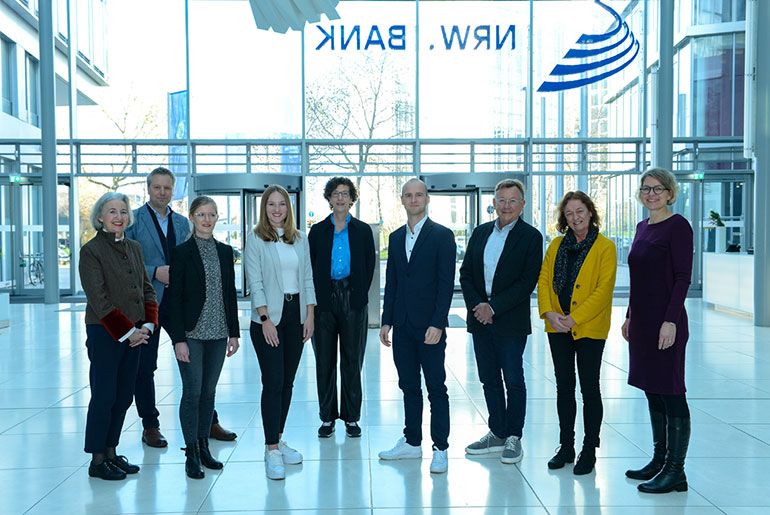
{"x": 316, "y": 286}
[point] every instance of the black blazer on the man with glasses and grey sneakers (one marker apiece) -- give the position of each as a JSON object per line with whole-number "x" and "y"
{"x": 515, "y": 278}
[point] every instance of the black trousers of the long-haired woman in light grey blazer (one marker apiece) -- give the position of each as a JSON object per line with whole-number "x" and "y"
{"x": 278, "y": 366}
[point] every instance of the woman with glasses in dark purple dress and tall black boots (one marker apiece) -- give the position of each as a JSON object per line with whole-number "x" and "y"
{"x": 660, "y": 265}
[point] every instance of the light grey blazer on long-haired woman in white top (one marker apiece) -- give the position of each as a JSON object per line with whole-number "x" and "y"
{"x": 265, "y": 280}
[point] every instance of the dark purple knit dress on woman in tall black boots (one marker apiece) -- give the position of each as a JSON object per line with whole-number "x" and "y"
{"x": 660, "y": 266}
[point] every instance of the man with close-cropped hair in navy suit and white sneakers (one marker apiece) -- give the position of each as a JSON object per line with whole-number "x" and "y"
{"x": 418, "y": 292}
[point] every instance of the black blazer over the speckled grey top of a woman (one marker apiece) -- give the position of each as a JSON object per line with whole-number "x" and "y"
{"x": 187, "y": 289}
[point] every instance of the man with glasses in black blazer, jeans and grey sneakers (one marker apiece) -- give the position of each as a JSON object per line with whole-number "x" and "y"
{"x": 499, "y": 273}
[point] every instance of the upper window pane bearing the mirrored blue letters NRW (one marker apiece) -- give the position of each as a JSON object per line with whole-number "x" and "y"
{"x": 473, "y": 69}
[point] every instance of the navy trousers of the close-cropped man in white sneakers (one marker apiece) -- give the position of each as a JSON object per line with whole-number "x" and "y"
{"x": 410, "y": 354}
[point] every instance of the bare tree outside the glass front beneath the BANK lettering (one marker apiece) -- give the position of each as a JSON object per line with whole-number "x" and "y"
{"x": 363, "y": 100}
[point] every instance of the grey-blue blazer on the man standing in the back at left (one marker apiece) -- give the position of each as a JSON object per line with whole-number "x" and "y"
{"x": 143, "y": 230}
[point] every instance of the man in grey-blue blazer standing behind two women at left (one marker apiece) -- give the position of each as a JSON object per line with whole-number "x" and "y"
{"x": 158, "y": 229}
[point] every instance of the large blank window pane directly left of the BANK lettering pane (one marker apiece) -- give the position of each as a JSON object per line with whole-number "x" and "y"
{"x": 244, "y": 82}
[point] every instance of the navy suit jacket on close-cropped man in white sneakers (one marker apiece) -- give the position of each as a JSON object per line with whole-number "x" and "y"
{"x": 420, "y": 290}
